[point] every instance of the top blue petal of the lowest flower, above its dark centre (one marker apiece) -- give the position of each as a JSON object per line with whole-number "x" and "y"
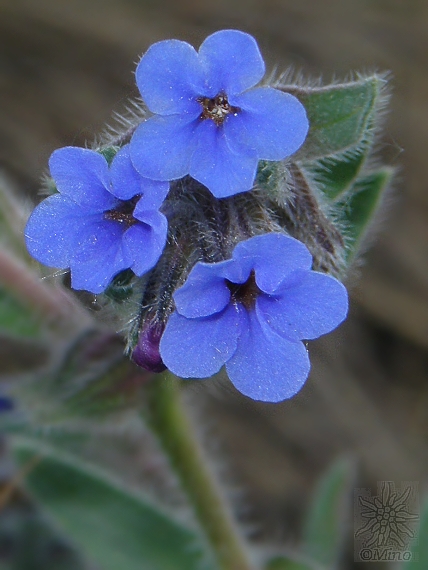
{"x": 273, "y": 257}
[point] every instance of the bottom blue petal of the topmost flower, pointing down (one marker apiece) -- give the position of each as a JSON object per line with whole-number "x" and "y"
{"x": 217, "y": 166}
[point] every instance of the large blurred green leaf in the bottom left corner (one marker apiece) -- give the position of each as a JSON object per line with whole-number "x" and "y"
{"x": 113, "y": 527}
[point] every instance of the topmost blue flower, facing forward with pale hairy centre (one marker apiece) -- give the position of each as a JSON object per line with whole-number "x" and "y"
{"x": 207, "y": 121}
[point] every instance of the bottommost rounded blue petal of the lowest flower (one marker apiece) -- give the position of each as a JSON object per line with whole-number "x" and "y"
{"x": 265, "y": 366}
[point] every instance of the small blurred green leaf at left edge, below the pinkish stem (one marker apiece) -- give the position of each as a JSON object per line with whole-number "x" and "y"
{"x": 15, "y": 318}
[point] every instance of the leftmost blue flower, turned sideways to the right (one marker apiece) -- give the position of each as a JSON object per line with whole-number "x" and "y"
{"x": 102, "y": 221}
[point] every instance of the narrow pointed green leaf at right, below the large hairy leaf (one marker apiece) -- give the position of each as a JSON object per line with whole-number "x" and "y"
{"x": 359, "y": 209}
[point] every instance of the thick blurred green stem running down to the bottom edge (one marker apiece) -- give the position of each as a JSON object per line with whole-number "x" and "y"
{"x": 177, "y": 435}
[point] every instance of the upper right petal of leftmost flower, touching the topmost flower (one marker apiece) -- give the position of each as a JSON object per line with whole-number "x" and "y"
{"x": 127, "y": 182}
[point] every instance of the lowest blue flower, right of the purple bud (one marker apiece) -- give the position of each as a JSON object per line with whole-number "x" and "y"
{"x": 251, "y": 313}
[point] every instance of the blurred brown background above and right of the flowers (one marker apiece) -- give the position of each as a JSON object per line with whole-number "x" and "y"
{"x": 66, "y": 64}
